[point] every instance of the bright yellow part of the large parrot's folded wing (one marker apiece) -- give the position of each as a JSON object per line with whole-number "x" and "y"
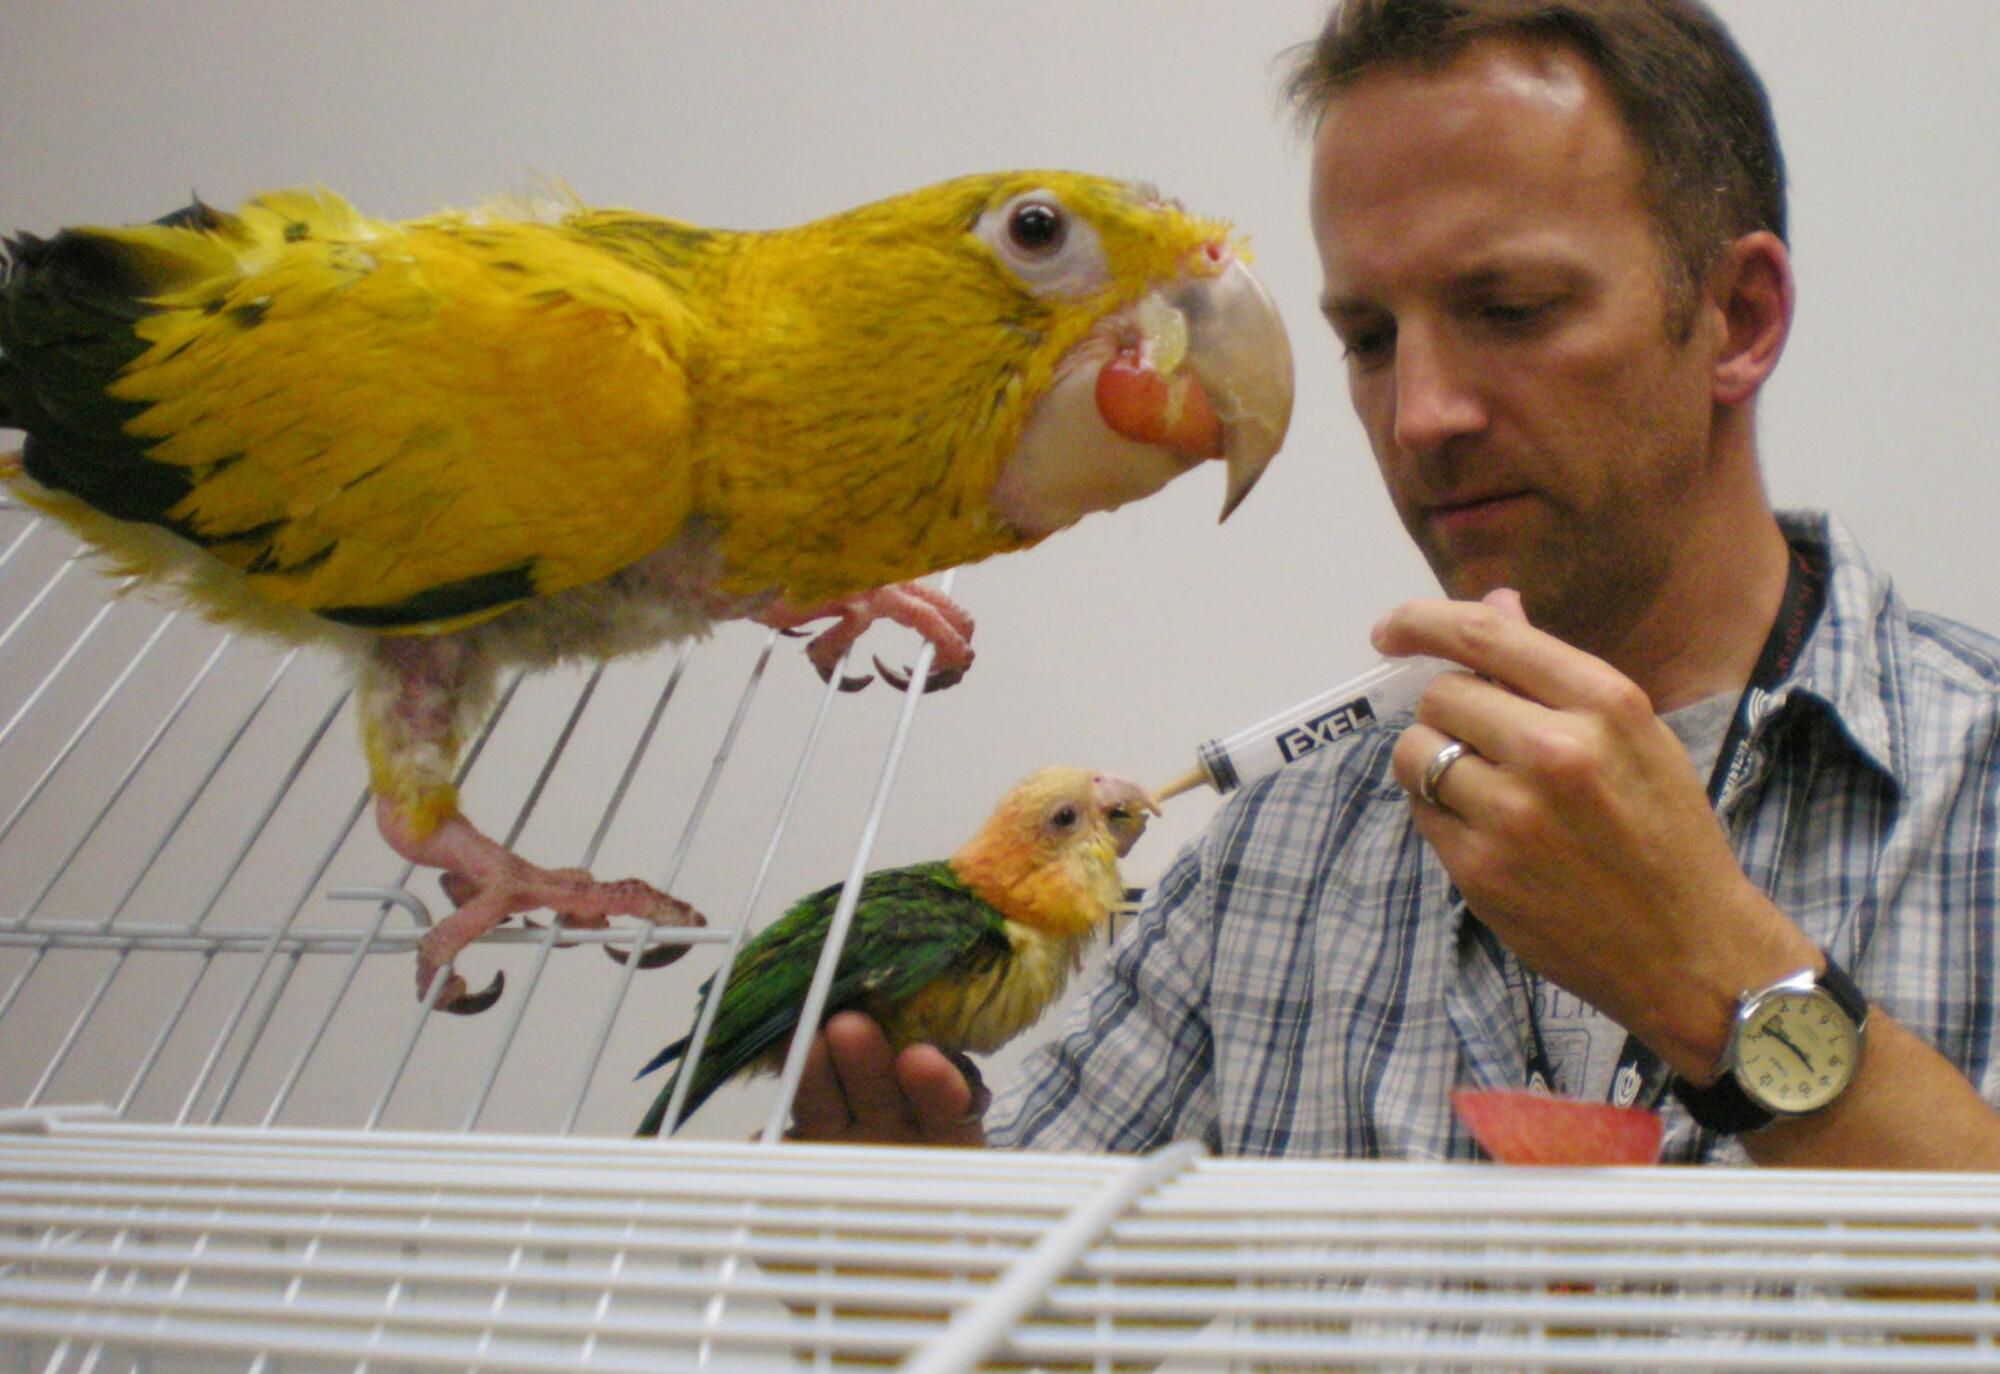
{"x": 373, "y": 411}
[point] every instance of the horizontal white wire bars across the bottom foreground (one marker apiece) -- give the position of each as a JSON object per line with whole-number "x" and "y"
{"x": 503, "y": 1253}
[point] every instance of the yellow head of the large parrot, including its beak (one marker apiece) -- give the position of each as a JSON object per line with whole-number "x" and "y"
{"x": 1083, "y": 339}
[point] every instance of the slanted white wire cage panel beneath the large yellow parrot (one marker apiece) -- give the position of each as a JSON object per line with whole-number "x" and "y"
{"x": 199, "y": 923}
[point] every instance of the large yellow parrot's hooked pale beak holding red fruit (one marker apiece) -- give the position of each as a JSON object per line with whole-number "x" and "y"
{"x": 1209, "y": 375}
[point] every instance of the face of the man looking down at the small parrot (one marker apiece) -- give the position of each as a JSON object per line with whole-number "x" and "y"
{"x": 1497, "y": 281}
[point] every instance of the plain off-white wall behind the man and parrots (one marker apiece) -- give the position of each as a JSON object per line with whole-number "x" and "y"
{"x": 1135, "y": 635}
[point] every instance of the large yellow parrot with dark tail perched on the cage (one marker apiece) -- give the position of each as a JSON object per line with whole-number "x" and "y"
{"x": 481, "y": 441}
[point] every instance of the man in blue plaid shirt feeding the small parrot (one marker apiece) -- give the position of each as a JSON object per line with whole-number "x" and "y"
{"x": 1553, "y": 241}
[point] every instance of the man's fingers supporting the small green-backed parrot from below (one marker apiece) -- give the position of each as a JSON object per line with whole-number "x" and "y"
{"x": 855, "y": 1091}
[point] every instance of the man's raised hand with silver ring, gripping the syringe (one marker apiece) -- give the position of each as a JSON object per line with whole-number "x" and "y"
{"x": 1579, "y": 833}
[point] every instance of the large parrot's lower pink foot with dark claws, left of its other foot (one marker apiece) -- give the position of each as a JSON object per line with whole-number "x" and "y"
{"x": 487, "y": 883}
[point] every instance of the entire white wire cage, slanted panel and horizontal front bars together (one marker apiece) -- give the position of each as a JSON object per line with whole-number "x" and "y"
{"x": 233, "y": 1139}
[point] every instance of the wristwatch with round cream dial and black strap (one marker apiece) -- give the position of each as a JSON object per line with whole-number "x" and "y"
{"x": 1793, "y": 1049}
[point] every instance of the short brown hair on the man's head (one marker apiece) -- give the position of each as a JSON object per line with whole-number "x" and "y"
{"x": 1687, "y": 95}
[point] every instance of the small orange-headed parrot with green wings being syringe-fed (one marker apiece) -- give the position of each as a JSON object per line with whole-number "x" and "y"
{"x": 965, "y": 953}
